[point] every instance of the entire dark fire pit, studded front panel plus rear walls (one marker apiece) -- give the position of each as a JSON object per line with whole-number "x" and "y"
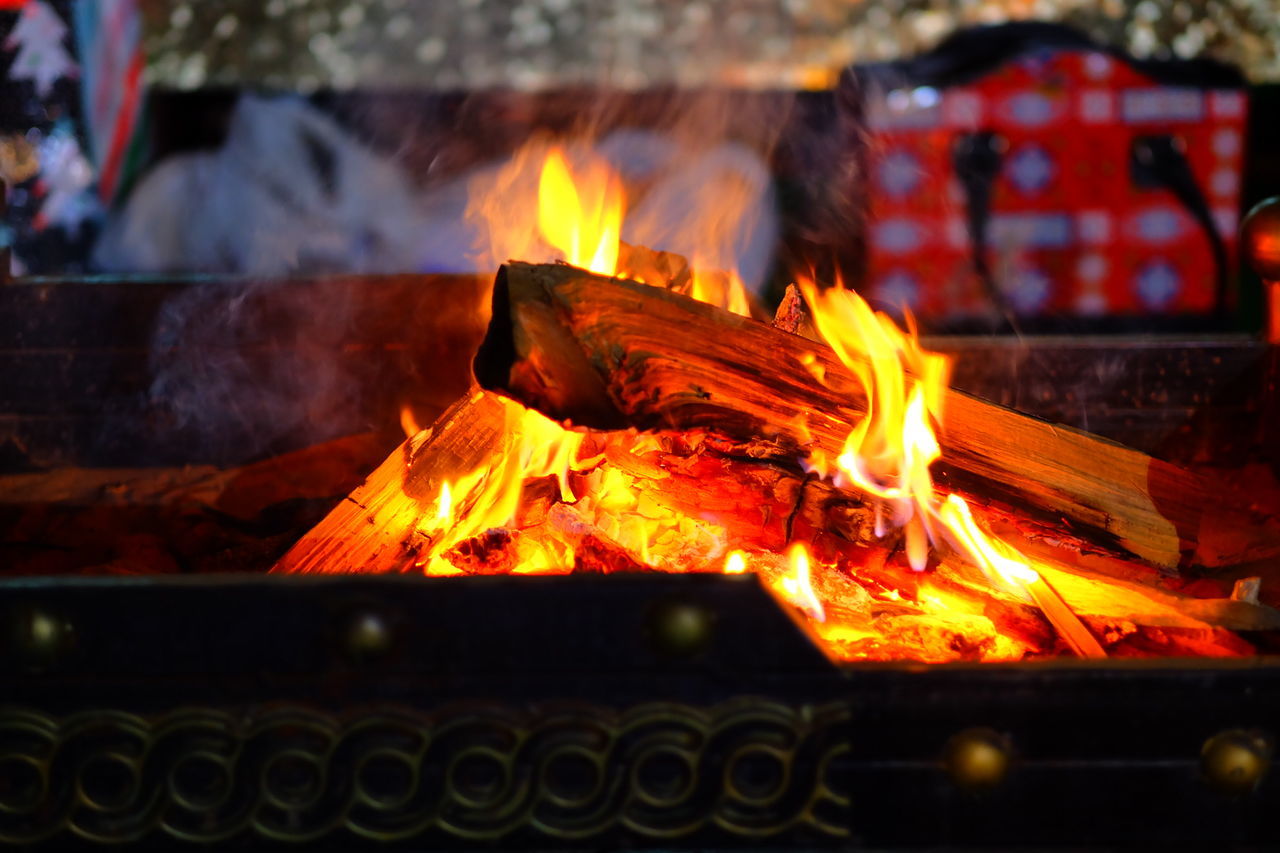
{"x": 583, "y": 711}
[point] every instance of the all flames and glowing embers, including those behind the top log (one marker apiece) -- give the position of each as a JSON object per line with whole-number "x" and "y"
{"x": 559, "y": 500}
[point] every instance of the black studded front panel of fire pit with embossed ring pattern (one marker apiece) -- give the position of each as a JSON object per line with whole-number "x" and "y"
{"x": 646, "y": 710}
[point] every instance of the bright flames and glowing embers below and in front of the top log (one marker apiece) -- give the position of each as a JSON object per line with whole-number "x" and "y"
{"x": 555, "y": 500}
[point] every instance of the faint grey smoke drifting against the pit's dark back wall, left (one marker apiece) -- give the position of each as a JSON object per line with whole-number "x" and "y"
{"x": 246, "y": 370}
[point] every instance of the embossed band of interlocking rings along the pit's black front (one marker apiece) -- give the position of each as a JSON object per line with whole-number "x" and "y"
{"x": 747, "y": 769}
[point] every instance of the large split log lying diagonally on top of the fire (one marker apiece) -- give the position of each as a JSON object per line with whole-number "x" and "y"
{"x": 610, "y": 354}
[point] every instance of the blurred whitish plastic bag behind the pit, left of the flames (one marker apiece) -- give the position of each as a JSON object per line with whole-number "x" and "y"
{"x": 289, "y": 191}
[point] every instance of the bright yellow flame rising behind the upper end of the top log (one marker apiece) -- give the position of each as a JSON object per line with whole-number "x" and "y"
{"x": 582, "y": 216}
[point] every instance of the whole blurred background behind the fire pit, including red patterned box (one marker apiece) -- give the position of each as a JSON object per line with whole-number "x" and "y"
{"x": 1031, "y": 166}
